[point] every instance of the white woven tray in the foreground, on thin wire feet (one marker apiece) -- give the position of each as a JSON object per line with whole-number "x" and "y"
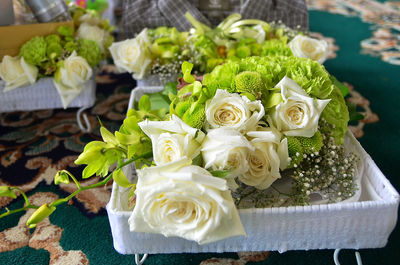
{"x": 366, "y": 223}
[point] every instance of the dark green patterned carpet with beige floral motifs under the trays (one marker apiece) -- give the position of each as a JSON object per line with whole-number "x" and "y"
{"x": 34, "y": 145}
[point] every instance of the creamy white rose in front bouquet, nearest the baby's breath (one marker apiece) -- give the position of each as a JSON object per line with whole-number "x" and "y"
{"x": 264, "y": 162}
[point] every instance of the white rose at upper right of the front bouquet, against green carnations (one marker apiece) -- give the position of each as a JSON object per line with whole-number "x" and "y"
{"x": 298, "y": 114}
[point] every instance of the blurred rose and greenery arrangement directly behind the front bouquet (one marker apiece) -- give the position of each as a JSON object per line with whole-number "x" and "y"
{"x": 161, "y": 51}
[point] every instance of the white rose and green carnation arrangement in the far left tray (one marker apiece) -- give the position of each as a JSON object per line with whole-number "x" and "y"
{"x": 68, "y": 56}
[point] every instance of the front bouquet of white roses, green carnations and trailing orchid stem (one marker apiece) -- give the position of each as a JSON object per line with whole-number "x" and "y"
{"x": 255, "y": 132}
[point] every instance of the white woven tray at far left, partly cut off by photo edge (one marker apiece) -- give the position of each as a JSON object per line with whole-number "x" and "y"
{"x": 43, "y": 95}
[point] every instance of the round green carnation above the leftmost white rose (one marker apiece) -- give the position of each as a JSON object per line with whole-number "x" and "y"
{"x": 34, "y": 51}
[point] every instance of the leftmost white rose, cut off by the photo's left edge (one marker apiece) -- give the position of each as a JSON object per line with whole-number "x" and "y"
{"x": 17, "y": 73}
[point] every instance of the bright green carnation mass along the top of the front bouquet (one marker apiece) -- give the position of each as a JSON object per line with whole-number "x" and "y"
{"x": 256, "y": 78}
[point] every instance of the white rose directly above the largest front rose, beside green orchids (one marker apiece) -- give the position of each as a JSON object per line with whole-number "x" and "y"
{"x": 172, "y": 140}
